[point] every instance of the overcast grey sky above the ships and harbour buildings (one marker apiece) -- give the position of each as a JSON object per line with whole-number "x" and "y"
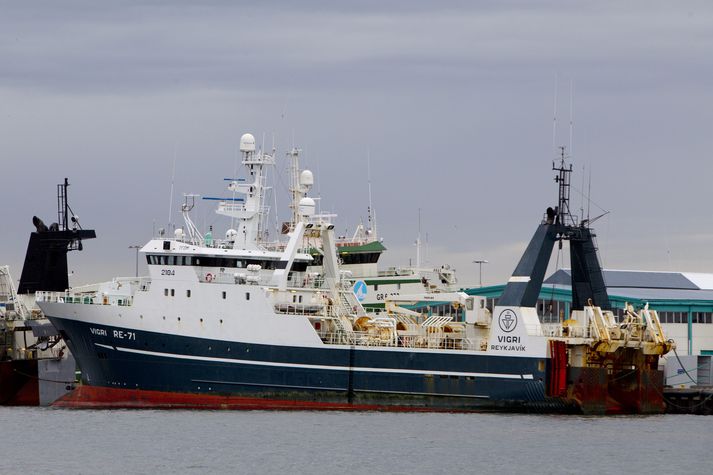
{"x": 453, "y": 101}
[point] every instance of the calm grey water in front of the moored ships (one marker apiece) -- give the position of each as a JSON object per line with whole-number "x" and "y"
{"x": 50, "y": 441}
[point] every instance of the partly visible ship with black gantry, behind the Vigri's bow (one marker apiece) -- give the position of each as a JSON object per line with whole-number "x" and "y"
{"x": 35, "y": 365}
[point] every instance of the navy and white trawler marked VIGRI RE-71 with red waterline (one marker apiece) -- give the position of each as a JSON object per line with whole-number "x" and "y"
{"x": 230, "y": 324}
